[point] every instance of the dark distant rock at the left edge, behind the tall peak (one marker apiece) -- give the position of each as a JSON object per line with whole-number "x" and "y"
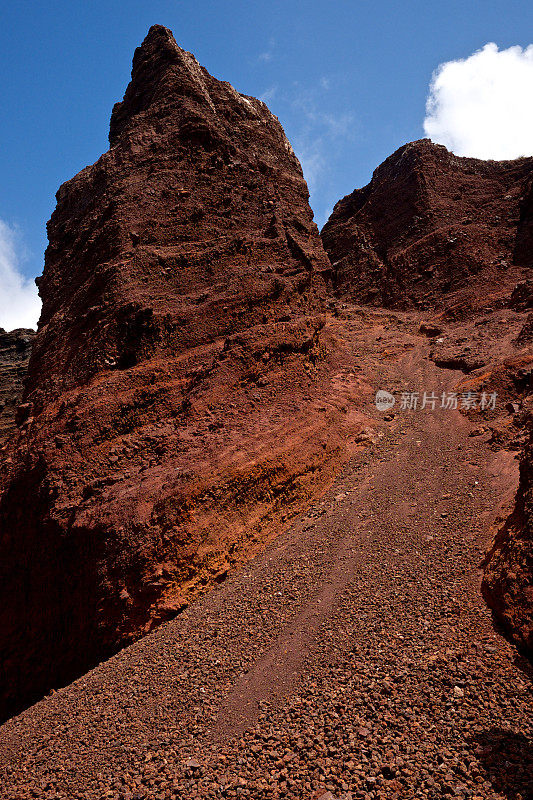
{"x": 15, "y": 348}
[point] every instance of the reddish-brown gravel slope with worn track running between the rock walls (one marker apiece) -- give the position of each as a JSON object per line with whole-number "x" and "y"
{"x": 354, "y": 655}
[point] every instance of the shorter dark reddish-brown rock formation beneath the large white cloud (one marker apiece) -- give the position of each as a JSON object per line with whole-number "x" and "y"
{"x": 427, "y": 223}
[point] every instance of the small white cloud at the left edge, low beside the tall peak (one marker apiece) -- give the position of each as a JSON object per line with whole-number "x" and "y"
{"x": 20, "y": 305}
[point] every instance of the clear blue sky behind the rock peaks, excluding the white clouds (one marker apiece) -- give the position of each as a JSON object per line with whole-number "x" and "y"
{"x": 348, "y": 80}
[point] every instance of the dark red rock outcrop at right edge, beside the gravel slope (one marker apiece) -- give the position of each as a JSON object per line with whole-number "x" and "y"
{"x": 508, "y": 568}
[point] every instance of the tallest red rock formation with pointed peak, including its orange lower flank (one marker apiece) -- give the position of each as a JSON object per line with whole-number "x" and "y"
{"x": 177, "y": 402}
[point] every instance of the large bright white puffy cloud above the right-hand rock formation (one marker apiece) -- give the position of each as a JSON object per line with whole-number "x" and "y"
{"x": 481, "y": 106}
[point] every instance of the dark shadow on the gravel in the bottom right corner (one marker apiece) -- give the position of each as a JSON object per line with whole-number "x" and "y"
{"x": 507, "y": 758}
